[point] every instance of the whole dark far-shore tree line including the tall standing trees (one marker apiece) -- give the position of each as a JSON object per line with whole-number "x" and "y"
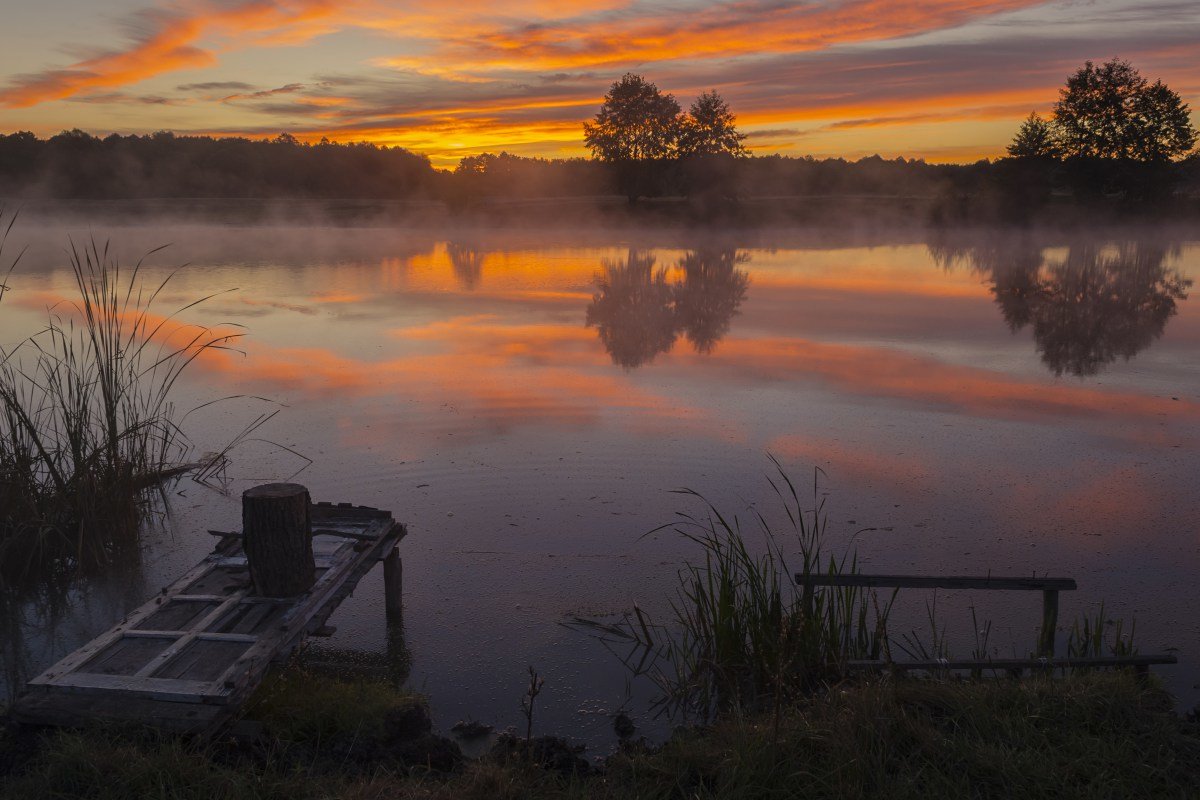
{"x": 1114, "y": 134}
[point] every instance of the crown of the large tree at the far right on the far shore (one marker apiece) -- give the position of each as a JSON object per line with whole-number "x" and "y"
{"x": 1113, "y": 112}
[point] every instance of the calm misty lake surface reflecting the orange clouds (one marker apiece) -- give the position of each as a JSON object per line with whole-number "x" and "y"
{"x": 977, "y": 401}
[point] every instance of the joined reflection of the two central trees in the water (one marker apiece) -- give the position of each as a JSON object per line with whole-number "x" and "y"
{"x": 639, "y": 314}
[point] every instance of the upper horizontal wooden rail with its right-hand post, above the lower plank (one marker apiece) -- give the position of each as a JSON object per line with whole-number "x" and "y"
{"x": 1048, "y": 587}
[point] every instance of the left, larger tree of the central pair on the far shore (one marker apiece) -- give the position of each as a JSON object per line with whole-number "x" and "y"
{"x": 637, "y": 130}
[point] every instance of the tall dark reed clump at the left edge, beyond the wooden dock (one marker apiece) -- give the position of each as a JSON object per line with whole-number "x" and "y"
{"x": 88, "y": 429}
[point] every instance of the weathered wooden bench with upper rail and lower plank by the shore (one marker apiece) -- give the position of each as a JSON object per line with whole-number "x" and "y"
{"x": 1046, "y": 659}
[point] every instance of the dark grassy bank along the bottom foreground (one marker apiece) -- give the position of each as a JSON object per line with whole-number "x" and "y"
{"x": 1089, "y": 736}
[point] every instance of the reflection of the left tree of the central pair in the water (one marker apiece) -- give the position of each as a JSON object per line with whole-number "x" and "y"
{"x": 634, "y": 310}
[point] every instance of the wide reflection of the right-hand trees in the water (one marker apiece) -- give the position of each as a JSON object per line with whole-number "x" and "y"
{"x": 1099, "y": 304}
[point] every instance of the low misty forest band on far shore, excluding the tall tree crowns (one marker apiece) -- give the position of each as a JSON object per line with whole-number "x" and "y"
{"x": 77, "y": 166}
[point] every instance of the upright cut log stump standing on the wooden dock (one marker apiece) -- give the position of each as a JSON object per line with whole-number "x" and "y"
{"x": 278, "y": 539}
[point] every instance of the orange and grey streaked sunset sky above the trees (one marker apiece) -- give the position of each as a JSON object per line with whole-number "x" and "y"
{"x": 941, "y": 80}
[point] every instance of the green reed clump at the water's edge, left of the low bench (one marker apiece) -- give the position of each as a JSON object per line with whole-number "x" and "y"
{"x": 742, "y": 635}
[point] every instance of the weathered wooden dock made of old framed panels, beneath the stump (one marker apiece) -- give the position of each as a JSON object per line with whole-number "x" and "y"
{"x": 190, "y": 658}
